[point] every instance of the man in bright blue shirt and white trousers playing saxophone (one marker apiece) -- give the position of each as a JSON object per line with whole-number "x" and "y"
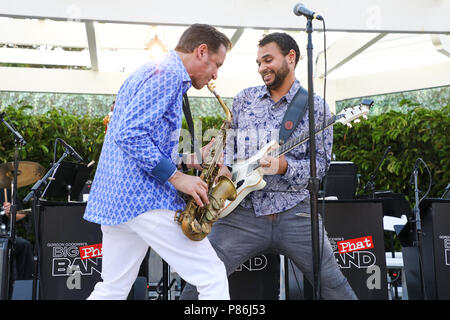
{"x": 135, "y": 189}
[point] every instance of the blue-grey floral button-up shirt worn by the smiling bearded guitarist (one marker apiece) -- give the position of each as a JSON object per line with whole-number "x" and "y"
{"x": 256, "y": 121}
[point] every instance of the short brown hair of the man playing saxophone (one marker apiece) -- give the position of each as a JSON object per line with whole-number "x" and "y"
{"x": 198, "y": 34}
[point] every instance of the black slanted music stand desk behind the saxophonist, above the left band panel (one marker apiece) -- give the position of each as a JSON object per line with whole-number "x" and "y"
{"x": 69, "y": 179}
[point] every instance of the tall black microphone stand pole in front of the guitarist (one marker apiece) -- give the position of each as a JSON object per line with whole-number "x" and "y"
{"x": 314, "y": 182}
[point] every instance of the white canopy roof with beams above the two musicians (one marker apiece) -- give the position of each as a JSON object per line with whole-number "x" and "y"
{"x": 373, "y": 46}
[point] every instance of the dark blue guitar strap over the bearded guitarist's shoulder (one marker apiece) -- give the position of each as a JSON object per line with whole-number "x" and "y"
{"x": 293, "y": 115}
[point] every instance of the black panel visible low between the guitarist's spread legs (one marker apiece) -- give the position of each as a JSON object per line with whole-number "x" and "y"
{"x": 256, "y": 279}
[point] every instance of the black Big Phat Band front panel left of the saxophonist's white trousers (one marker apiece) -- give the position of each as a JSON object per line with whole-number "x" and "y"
{"x": 66, "y": 271}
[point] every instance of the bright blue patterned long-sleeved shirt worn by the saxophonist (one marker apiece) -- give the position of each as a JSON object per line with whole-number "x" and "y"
{"x": 140, "y": 147}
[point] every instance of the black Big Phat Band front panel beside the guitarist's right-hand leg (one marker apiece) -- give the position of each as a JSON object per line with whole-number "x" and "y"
{"x": 356, "y": 232}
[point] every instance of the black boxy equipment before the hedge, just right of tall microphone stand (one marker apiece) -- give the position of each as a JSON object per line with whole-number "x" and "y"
{"x": 341, "y": 180}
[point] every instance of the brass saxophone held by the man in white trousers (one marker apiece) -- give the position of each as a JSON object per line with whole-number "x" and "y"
{"x": 195, "y": 221}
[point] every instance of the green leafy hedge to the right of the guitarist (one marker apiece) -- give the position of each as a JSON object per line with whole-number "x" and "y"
{"x": 420, "y": 133}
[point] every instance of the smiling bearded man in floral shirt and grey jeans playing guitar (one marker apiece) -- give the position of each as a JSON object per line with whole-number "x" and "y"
{"x": 277, "y": 217}
